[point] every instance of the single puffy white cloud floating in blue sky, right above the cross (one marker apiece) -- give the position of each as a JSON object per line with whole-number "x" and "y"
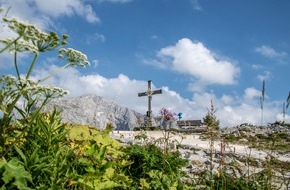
{"x": 194, "y": 59}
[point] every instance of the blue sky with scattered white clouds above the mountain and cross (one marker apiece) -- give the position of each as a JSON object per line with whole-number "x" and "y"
{"x": 195, "y": 50}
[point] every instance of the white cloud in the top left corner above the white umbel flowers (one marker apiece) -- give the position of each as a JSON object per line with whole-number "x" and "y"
{"x": 40, "y": 12}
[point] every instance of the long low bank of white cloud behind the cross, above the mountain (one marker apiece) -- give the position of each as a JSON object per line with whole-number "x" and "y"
{"x": 231, "y": 110}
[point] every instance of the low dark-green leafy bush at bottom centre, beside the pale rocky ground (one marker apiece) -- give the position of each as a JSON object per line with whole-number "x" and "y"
{"x": 152, "y": 168}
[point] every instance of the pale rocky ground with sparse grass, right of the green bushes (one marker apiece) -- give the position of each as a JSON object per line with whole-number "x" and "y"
{"x": 243, "y": 150}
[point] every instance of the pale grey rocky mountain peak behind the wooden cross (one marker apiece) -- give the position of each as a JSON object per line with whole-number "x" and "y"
{"x": 95, "y": 111}
